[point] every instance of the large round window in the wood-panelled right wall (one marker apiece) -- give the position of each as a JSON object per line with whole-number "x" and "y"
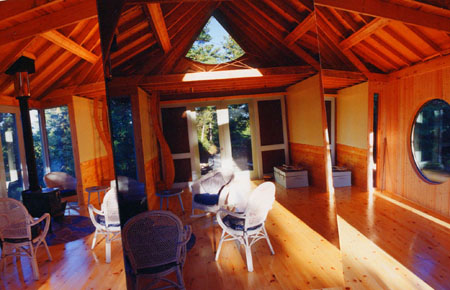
{"x": 430, "y": 141}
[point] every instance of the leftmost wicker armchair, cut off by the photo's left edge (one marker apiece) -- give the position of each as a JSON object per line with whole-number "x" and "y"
{"x": 16, "y": 233}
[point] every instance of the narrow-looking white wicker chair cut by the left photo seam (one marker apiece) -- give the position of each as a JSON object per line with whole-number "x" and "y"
{"x": 106, "y": 220}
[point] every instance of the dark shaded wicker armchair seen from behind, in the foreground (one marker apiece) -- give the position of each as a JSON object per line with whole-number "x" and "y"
{"x": 155, "y": 246}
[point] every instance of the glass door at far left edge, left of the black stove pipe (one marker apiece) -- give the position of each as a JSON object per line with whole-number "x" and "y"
{"x": 12, "y": 157}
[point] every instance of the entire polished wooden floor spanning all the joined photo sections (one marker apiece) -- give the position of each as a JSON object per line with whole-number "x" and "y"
{"x": 382, "y": 246}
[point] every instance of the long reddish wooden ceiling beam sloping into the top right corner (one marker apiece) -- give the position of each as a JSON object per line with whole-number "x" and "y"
{"x": 379, "y": 8}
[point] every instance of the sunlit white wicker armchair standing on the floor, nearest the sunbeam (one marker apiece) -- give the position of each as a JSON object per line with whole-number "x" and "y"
{"x": 248, "y": 227}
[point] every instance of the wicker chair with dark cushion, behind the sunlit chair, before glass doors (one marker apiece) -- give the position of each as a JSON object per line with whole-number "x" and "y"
{"x": 212, "y": 183}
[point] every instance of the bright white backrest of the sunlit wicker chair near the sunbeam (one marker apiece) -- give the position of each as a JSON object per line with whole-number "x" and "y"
{"x": 259, "y": 203}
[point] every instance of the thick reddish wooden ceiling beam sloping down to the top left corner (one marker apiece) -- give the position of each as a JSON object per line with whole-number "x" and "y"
{"x": 75, "y": 13}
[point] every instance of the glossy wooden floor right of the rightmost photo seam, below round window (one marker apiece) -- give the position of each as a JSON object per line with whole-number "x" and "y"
{"x": 385, "y": 245}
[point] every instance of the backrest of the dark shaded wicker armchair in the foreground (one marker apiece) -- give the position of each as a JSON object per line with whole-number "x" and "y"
{"x": 153, "y": 238}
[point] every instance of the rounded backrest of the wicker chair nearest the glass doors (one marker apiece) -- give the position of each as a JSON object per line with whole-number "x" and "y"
{"x": 213, "y": 182}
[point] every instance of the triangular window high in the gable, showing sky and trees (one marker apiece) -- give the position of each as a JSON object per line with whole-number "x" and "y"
{"x": 214, "y": 45}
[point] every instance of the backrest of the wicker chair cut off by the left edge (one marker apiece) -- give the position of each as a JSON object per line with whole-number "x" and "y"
{"x": 14, "y": 220}
